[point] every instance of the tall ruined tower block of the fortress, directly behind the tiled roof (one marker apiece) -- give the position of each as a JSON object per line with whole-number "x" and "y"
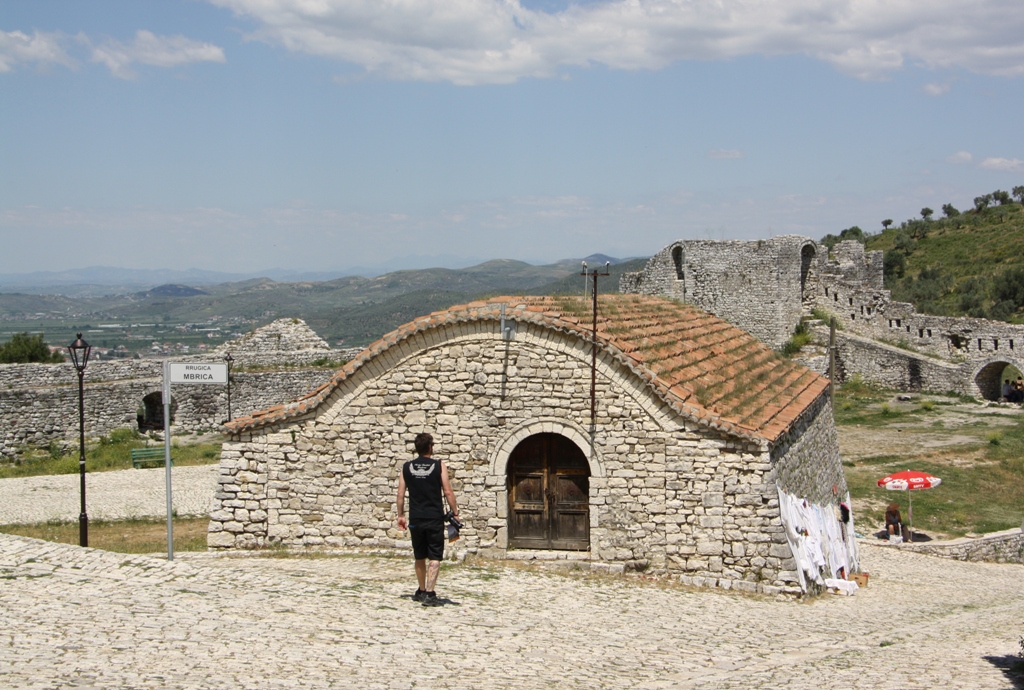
{"x": 758, "y": 286}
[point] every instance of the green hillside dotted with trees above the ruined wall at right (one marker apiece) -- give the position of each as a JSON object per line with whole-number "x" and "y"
{"x": 966, "y": 265}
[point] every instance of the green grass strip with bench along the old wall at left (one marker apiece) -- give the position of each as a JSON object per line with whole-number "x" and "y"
{"x": 110, "y": 453}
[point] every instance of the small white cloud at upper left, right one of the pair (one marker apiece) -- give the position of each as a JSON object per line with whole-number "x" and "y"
{"x": 148, "y": 49}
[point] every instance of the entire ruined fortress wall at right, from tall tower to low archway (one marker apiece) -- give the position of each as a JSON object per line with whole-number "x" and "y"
{"x": 765, "y": 287}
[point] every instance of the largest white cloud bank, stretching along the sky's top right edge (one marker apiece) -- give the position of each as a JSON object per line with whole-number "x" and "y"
{"x": 500, "y": 41}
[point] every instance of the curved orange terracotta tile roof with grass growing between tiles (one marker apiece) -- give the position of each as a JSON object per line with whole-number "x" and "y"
{"x": 710, "y": 372}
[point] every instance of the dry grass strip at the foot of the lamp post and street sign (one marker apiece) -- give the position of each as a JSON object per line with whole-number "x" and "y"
{"x": 125, "y": 537}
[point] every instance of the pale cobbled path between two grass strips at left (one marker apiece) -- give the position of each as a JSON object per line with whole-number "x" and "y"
{"x": 110, "y": 496}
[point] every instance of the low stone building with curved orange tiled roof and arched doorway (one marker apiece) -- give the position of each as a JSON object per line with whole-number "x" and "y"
{"x": 677, "y": 463}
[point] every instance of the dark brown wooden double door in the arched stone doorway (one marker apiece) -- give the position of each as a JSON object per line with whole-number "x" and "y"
{"x": 549, "y": 495}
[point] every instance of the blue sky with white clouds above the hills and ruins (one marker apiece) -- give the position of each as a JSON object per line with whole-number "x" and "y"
{"x": 241, "y": 136}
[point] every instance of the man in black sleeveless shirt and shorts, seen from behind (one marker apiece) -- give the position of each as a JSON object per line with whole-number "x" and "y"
{"x": 425, "y": 479}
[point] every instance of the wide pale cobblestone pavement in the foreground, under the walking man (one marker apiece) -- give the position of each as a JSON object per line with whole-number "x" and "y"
{"x": 87, "y": 619}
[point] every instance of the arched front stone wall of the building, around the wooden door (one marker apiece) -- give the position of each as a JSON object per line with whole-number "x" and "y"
{"x": 664, "y": 493}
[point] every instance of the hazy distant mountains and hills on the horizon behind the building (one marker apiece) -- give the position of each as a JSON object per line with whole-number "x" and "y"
{"x": 352, "y": 310}
